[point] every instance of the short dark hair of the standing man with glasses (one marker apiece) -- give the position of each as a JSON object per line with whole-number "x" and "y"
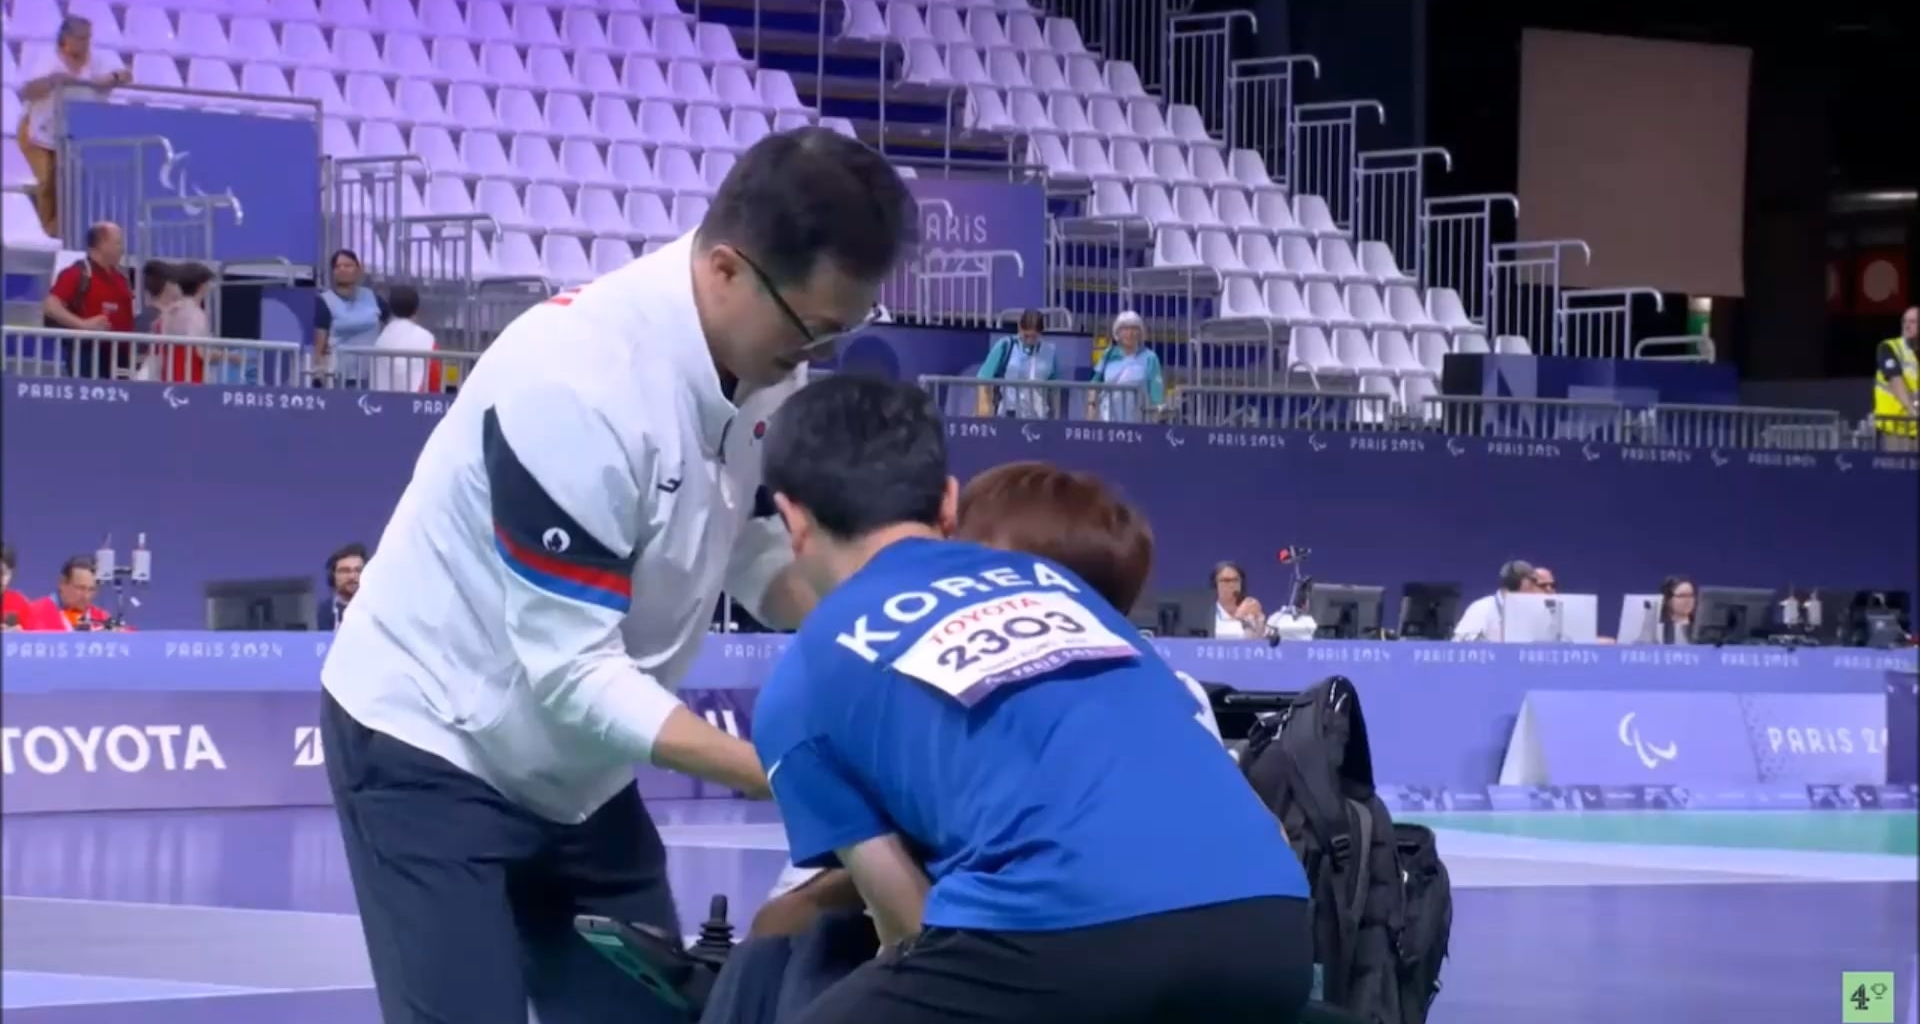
{"x": 809, "y": 195}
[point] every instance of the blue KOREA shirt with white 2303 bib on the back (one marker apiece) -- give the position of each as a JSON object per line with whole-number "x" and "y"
{"x": 1020, "y": 735}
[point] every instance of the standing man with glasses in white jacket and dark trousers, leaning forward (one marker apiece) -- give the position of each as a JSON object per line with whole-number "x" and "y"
{"x": 548, "y": 579}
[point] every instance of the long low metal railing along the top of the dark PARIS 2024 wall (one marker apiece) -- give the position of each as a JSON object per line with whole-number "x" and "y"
{"x": 89, "y": 358}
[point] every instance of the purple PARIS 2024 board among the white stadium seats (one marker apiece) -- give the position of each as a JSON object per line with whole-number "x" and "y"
{"x": 994, "y": 230}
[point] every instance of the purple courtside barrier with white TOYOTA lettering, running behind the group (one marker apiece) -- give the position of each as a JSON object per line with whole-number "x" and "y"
{"x": 195, "y": 719}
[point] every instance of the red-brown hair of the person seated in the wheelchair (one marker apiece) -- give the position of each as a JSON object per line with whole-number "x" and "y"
{"x": 1063, "y": 516}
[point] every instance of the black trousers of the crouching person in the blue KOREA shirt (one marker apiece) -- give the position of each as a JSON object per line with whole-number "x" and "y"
{"x": 1234, "y": 963}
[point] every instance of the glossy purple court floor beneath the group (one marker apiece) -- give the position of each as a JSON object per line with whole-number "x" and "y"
{"x": 1560, "y": 919}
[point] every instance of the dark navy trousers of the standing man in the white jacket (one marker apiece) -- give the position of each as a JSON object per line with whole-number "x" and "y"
{"x": 468, "y": 900}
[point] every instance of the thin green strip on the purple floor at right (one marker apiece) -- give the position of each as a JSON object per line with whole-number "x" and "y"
{"x": 1804, "y": 831}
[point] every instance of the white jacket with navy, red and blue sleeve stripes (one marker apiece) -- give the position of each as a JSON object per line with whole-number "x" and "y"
{"x": 552, "y": 568}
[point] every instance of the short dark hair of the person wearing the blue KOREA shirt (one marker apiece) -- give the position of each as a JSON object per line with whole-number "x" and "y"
{"x": 859, "y": 454}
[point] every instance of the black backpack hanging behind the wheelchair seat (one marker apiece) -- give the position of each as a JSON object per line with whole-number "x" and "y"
{"x": 1383, "y": 904}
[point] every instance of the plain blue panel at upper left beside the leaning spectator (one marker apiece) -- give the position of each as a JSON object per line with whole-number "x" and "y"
{"x": 270, "y": 168}
